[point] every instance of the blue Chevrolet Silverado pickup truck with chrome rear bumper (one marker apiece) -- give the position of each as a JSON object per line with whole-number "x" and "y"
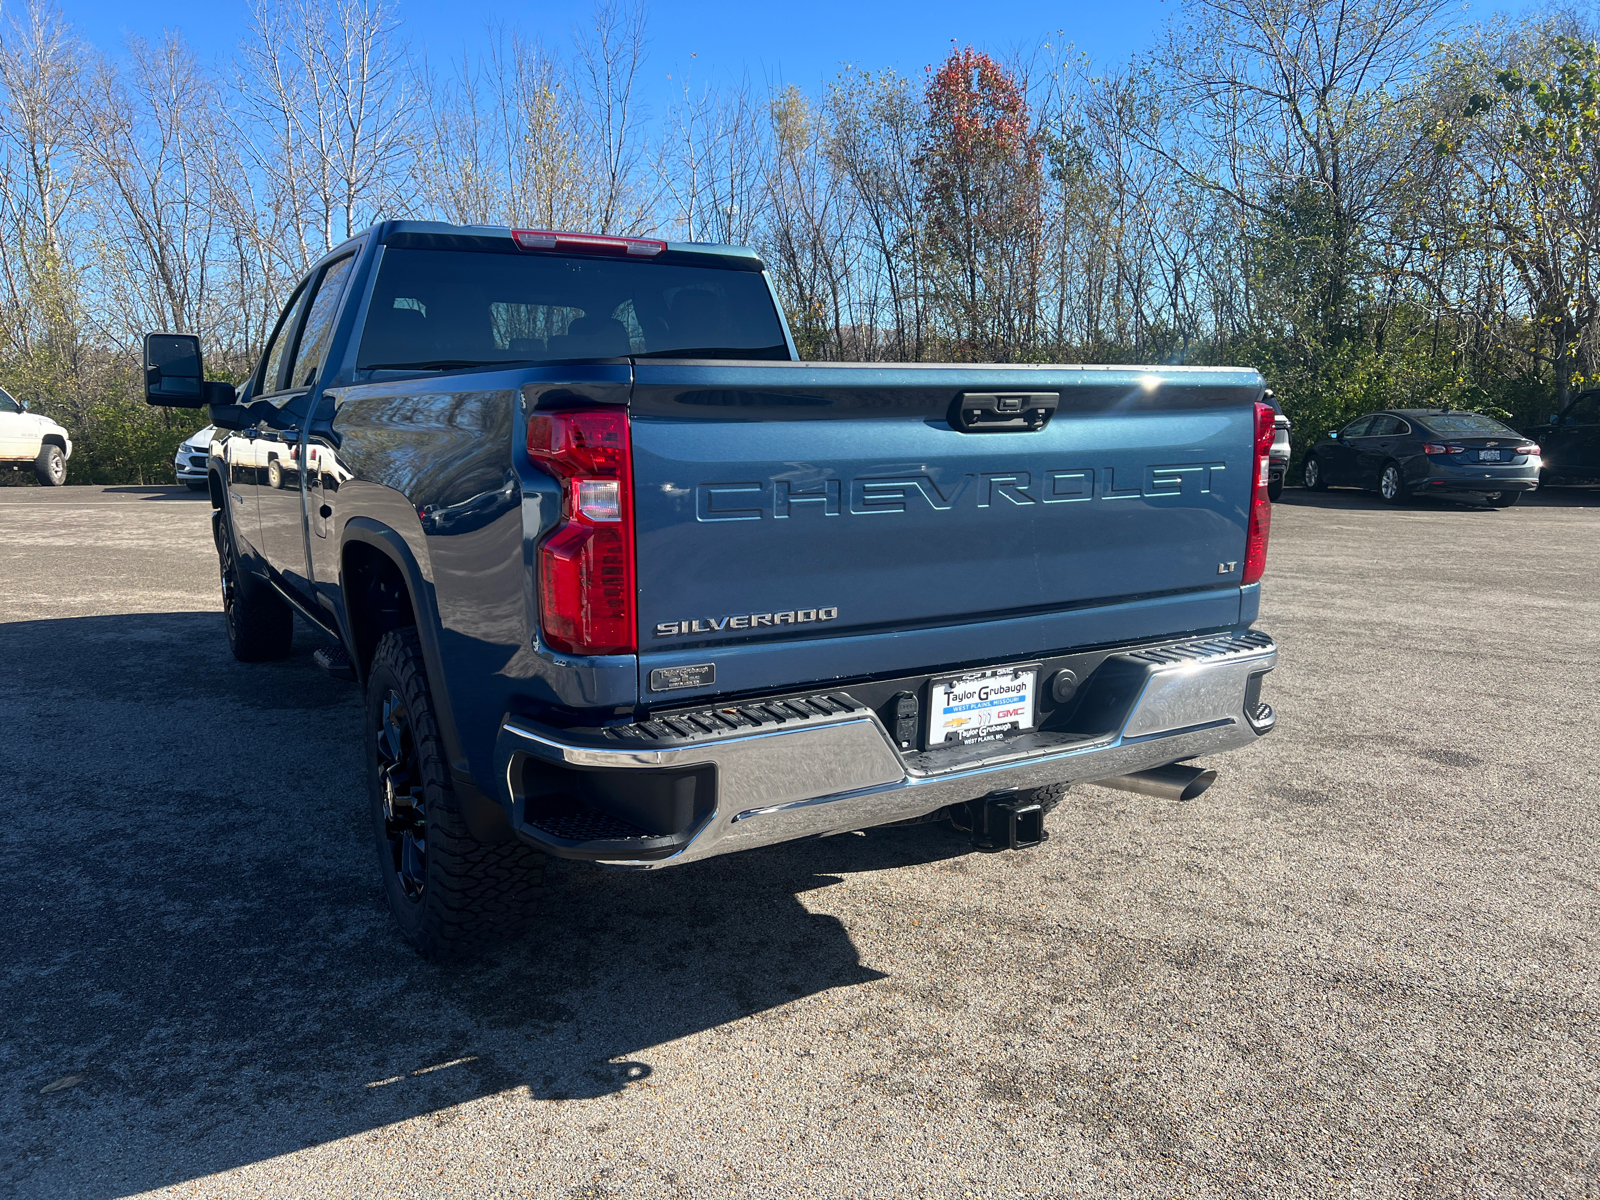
{"x": 626, "y": 582}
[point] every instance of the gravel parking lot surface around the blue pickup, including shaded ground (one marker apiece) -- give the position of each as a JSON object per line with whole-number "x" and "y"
{"x": 1362, "y": 966}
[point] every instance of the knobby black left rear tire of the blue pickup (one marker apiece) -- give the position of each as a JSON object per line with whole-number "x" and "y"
{"x": 465, "y": 895}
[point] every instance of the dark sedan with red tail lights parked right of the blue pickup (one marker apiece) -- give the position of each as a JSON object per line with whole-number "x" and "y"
{"x": 1412, "y": 452}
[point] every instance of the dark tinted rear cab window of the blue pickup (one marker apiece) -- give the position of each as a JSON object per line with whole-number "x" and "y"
{"x": 441, "y": 310}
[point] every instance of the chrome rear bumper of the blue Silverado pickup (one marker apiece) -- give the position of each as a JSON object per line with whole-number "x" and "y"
{"x": 830, "y": 772}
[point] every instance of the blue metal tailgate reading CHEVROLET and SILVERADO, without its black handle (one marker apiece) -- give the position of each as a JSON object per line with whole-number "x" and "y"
{"x": 806, "y": 522}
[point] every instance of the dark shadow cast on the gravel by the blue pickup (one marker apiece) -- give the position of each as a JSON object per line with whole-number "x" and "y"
{"x": 196, "y": 929}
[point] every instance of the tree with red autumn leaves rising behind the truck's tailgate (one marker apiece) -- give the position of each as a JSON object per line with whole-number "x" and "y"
{"x": 982, "y": 166}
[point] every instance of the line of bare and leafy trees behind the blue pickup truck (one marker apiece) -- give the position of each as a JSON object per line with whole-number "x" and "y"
{"x": 1366, "y": 202}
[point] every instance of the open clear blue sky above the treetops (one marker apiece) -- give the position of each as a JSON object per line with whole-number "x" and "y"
{"x": 718, "y": 39}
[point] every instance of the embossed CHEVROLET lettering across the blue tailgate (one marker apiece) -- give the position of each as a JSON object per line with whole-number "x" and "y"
{"x": 866, "y": 495}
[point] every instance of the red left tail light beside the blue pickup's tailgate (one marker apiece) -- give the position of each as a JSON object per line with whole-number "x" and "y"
{"x": 586, "y": 566}
